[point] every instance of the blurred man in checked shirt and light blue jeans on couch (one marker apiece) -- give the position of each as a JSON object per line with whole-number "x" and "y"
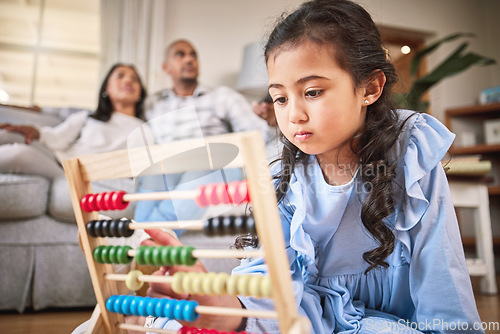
{"x": 190, "y": 110}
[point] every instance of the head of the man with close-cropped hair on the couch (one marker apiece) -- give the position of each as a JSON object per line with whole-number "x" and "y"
{"x": 181, "y": 62}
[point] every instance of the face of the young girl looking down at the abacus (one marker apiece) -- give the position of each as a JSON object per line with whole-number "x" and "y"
{"x": 317, "y": 107}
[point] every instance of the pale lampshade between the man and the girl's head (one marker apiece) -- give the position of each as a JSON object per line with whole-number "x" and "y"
{"x": 253, "y": 79}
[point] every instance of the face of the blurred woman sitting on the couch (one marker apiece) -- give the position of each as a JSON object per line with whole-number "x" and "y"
{"x": 123, "y": 86}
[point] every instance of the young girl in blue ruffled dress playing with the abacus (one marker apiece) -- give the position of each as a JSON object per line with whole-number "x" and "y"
{"x": 372, "y": 237}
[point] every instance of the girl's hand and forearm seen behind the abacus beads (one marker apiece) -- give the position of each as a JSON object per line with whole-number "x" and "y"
{"x": 164, "y": 290}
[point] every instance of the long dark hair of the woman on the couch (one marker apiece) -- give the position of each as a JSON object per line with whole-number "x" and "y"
{"x": 105, "y": 107}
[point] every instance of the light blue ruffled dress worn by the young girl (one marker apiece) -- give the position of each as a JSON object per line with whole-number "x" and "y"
{"x": 426, "y": 287}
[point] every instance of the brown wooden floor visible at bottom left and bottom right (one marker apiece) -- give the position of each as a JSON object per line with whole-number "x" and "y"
{"x": 65, "y": 321}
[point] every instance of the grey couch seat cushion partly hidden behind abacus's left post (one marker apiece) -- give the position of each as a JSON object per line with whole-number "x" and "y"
{"x": 61, "y": 208}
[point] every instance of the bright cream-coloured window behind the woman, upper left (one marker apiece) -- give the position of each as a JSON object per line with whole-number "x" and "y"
{"x": 49, "y": 52}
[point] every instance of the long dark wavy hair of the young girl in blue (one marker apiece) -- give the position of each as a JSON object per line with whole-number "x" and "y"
{"x": 356, "y": 46}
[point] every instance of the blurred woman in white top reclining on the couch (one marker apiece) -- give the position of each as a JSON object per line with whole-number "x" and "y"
{"x": 120, "y": 110}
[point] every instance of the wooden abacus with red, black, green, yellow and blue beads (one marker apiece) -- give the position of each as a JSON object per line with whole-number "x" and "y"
{"x": 257, "y": 189}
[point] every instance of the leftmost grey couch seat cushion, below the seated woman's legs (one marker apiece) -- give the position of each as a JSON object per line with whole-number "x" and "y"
{"x": 22, "y": 196}
